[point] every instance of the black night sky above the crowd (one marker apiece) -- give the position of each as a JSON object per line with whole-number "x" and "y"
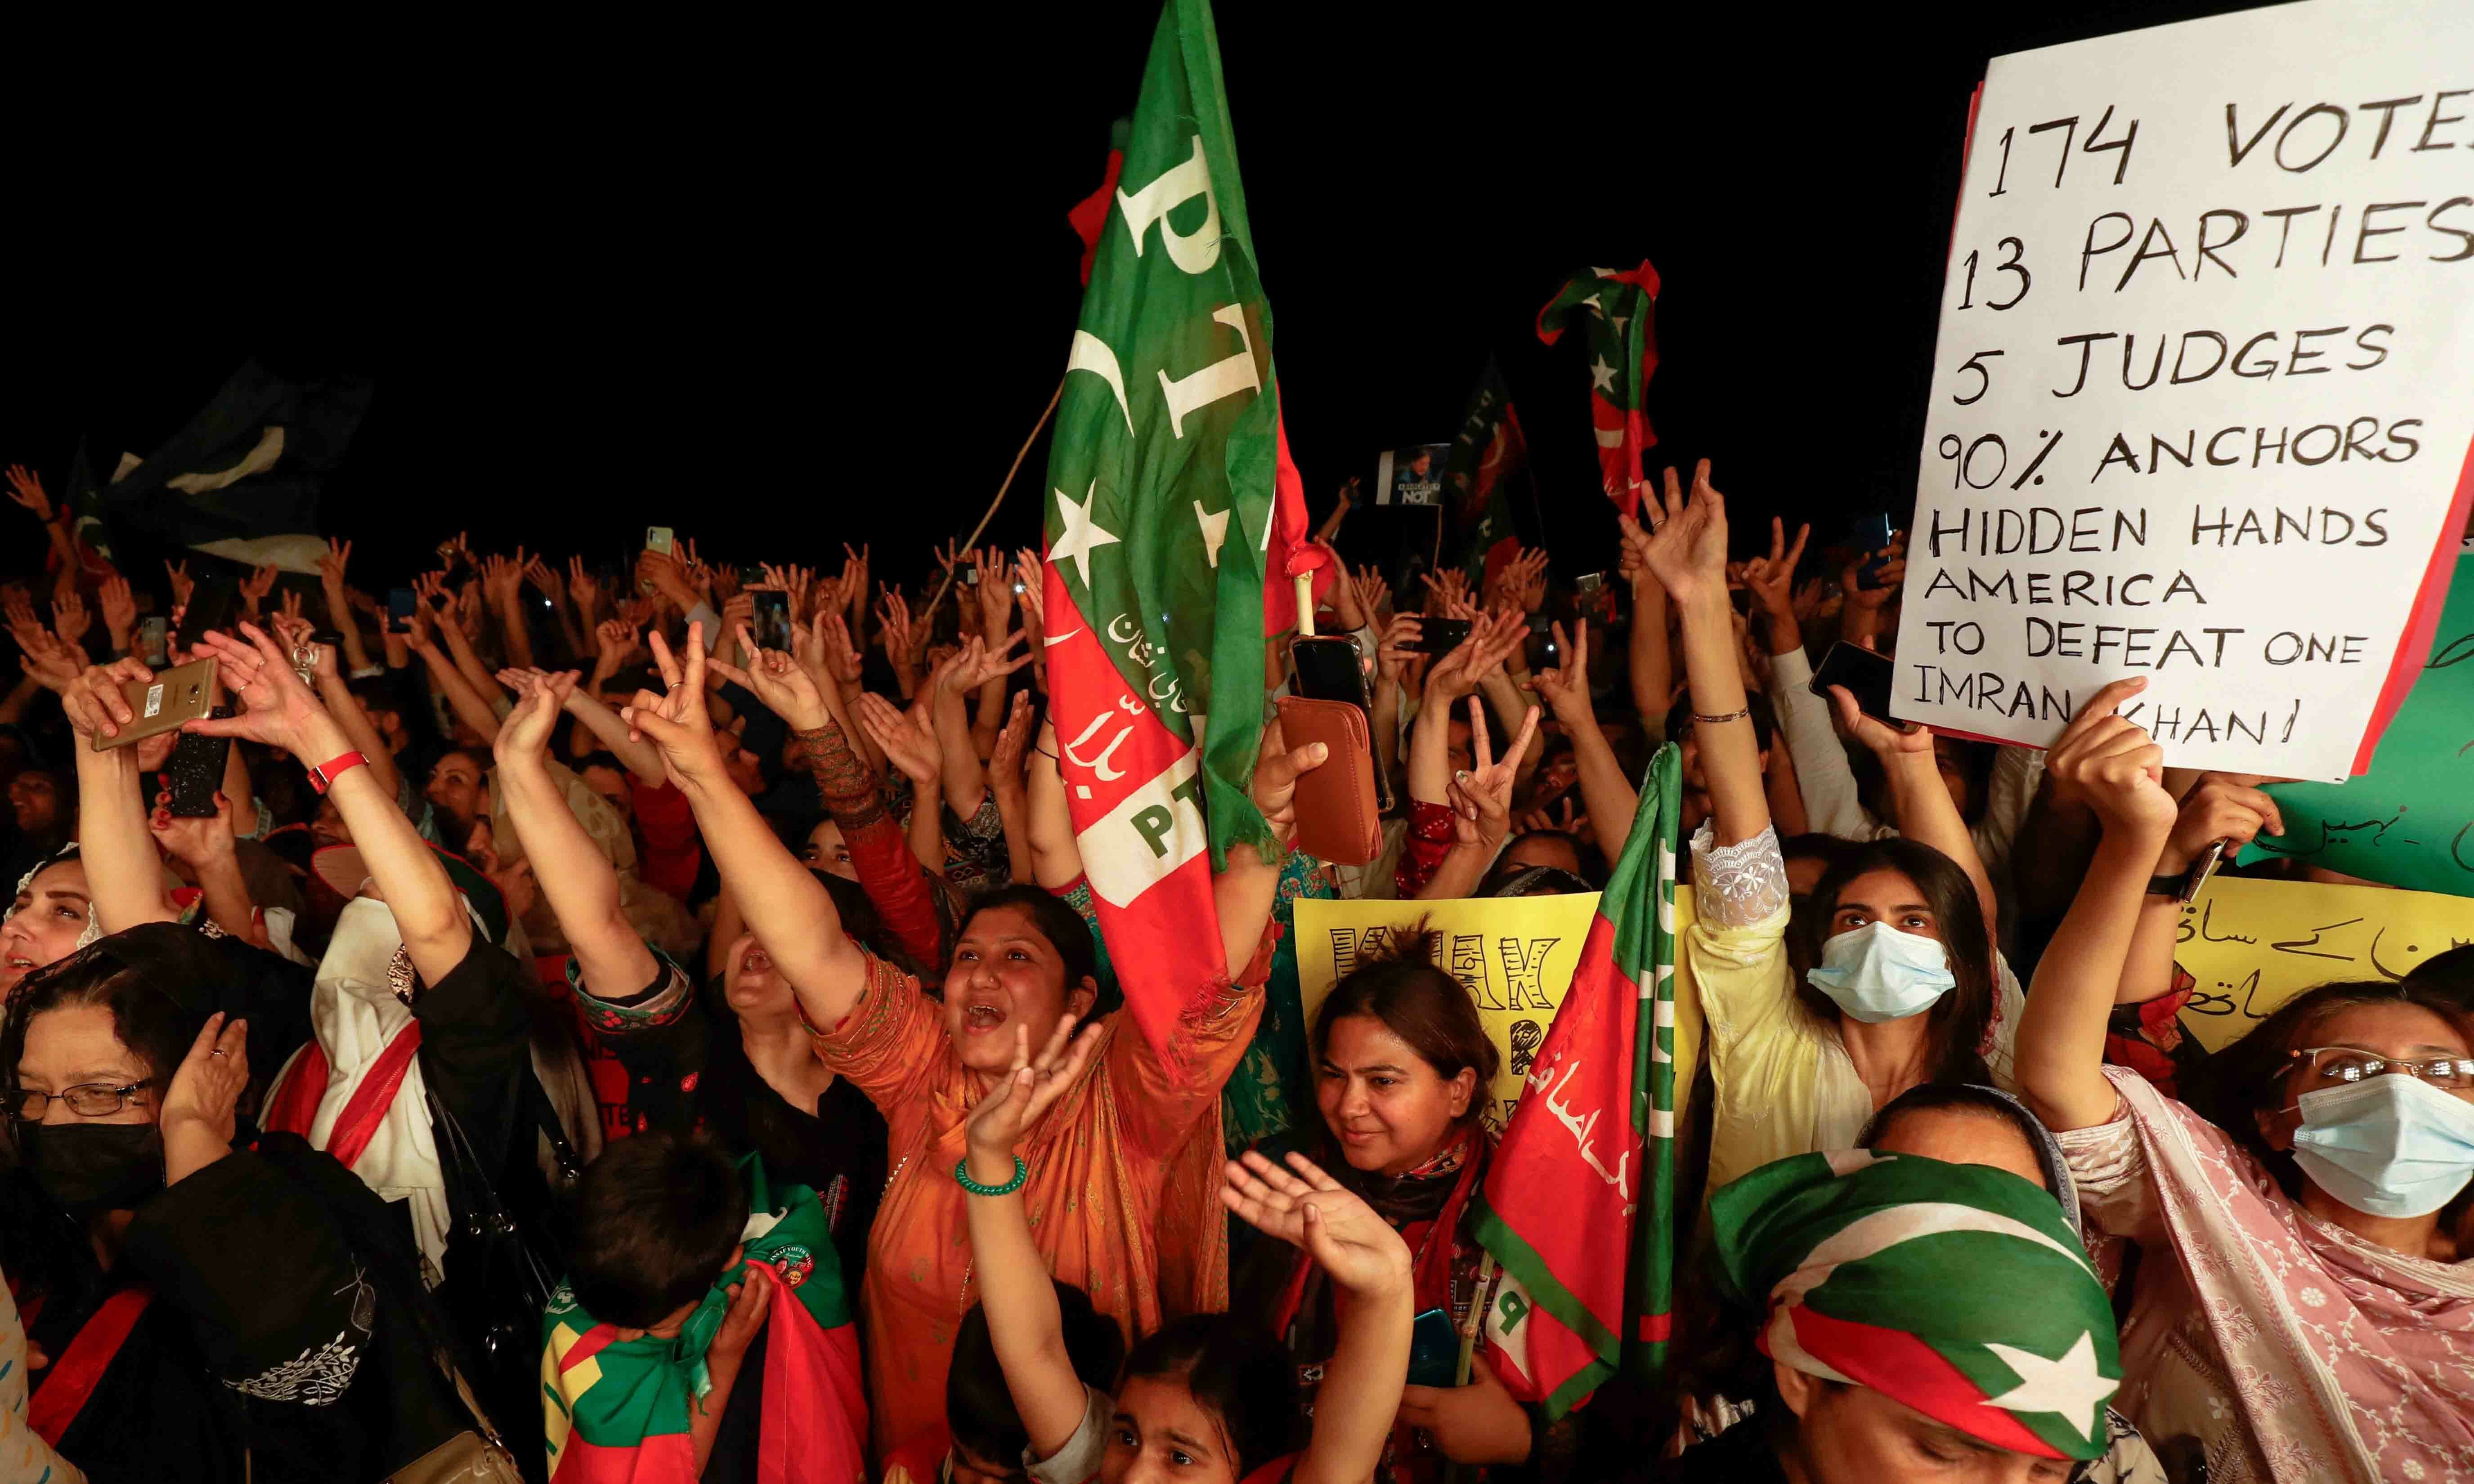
{"x": 785, "y": 291}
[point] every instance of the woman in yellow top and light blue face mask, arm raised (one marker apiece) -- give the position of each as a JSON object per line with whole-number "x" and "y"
{"x": 1894, "y": 978}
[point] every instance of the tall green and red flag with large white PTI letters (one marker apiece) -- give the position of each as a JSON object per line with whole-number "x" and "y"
{"x": 1174, "y": 516}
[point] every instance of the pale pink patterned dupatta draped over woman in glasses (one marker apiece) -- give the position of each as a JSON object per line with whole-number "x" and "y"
{"x": 2347, "y": 1359}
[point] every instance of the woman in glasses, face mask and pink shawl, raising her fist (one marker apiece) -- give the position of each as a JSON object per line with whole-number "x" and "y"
{"x": 2305, "y": 1310}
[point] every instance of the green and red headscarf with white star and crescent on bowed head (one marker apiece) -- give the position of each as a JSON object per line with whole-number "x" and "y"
{"x": 1956, "y": 1290}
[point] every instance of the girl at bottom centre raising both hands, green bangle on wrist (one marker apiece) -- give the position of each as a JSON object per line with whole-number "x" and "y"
{"x": 1209, "y": 1399}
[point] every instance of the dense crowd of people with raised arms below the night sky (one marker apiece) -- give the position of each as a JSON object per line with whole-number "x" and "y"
{"x": 580, "y": 1030}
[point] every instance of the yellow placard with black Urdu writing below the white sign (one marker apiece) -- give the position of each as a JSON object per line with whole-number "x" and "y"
{"x": 2258, "y": 944}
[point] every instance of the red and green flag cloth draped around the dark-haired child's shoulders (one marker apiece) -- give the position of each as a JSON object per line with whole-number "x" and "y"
{"x": 617, "y": 1411}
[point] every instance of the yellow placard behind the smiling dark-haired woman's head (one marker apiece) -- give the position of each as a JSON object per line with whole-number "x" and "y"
{"x": 1515, "y": 956}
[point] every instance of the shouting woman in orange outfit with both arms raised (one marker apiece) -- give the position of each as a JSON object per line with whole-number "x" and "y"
{"x": 1119, "y": 1174}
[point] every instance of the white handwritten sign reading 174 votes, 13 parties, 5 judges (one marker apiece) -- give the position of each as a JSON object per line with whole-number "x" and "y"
{"x": 2206, "y": 382}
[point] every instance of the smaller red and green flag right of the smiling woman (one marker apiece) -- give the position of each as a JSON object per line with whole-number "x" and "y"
{"x": 1580, "y": 1203}
